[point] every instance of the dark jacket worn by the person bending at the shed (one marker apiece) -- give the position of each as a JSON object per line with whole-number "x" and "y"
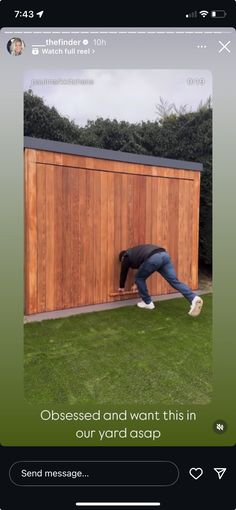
{"x": 134, "y": 257}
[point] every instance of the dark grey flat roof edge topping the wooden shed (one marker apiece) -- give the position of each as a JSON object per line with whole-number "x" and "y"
{"x": 94, "y": 152}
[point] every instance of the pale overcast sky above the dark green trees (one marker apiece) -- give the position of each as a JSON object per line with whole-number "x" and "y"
{"x": 129, "y": 95}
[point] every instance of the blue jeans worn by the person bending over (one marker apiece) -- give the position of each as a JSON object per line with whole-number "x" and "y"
{"x": 160, "y": 262}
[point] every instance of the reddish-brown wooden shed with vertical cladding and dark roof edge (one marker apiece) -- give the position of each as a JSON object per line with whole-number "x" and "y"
{"x": 83, "y": 205}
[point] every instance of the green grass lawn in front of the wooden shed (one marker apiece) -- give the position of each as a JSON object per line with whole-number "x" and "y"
{"x": 122, "y": 356}
